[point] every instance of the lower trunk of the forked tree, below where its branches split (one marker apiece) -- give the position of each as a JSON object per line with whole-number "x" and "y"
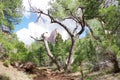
{"x": 71, "y": 54}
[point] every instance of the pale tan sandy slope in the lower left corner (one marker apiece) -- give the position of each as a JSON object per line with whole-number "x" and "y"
{"x": 12, "y": 73}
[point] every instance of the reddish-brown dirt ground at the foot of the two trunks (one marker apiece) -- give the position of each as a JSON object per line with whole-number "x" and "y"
{"x": 48, "y": 74}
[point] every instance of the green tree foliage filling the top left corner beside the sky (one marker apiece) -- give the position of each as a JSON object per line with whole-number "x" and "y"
{"x": 10, "y": 13}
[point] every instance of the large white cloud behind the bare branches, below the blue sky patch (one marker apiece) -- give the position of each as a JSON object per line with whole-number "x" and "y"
{"x": 35, "y": 30}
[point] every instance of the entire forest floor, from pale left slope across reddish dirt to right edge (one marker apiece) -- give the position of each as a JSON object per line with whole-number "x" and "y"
{"x": 10, "y": 73}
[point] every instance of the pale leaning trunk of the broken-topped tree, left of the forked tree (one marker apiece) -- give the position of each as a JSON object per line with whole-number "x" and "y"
{"x": 52, "y": 57}
